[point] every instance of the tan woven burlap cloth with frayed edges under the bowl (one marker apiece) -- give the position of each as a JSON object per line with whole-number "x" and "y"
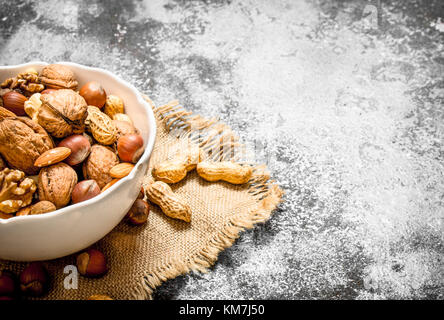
{"x": 141, "y": 258}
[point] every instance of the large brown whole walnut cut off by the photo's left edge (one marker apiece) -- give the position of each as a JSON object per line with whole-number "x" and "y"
{"x": 22, "y": 141}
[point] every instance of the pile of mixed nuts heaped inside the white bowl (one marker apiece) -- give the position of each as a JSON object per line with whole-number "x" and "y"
{"x": 60, "y": 146}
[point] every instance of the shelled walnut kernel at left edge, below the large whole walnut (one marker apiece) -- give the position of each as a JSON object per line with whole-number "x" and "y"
{"x": 16, "y": 191}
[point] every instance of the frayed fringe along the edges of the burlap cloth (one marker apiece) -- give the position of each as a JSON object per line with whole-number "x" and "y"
{"x": 267, "y": 193}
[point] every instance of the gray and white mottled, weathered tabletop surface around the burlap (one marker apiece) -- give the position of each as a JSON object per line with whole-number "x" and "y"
{"x": 350, "y": 112}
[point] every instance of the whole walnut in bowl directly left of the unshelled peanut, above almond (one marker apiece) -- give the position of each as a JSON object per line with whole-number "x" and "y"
{"x": 62, "y": 113}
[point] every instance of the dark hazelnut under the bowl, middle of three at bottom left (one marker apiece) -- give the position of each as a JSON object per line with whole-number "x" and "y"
{"x": 34, "y": 279}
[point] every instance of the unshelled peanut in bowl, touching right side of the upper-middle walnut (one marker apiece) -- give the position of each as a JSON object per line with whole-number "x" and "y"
{"x": 101, "y": 126}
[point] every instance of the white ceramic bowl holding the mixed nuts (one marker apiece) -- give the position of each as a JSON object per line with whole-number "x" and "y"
{"x": 73, "y": 228}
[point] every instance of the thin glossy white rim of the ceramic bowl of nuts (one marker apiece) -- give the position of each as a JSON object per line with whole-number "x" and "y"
{"x": 144, "y": 158}
